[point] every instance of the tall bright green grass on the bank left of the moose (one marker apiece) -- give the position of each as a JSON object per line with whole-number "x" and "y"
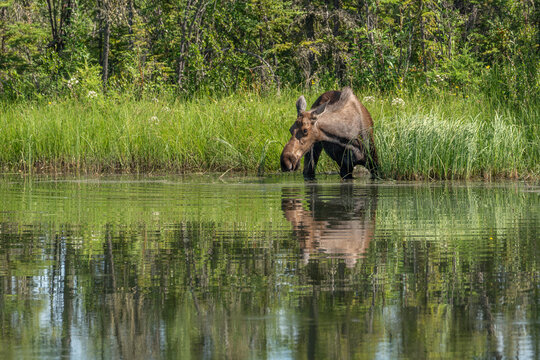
{"x": 99, "y": 135}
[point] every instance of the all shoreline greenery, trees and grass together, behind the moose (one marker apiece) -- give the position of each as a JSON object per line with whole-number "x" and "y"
{"x": 202, "y": 85}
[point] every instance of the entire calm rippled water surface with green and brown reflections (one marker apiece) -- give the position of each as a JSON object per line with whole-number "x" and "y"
{"x": 202, "y": 267}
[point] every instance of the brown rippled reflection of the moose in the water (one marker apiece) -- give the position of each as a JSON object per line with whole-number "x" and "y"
{"x": 338, "y": 225}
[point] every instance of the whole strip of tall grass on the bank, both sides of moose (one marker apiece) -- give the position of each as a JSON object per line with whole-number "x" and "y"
{"x": 435, "y": 136}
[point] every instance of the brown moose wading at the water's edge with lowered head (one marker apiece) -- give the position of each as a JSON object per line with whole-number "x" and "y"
{"x": 338, "y": 123}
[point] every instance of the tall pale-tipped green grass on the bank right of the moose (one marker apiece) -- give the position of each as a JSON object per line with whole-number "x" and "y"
{"x": 456, "y": 138}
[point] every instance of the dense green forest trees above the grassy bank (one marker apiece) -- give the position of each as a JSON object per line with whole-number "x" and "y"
{"x": 70, "y": 47}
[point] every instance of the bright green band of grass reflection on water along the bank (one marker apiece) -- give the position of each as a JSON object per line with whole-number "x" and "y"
{"x": 443, "y": 210}
